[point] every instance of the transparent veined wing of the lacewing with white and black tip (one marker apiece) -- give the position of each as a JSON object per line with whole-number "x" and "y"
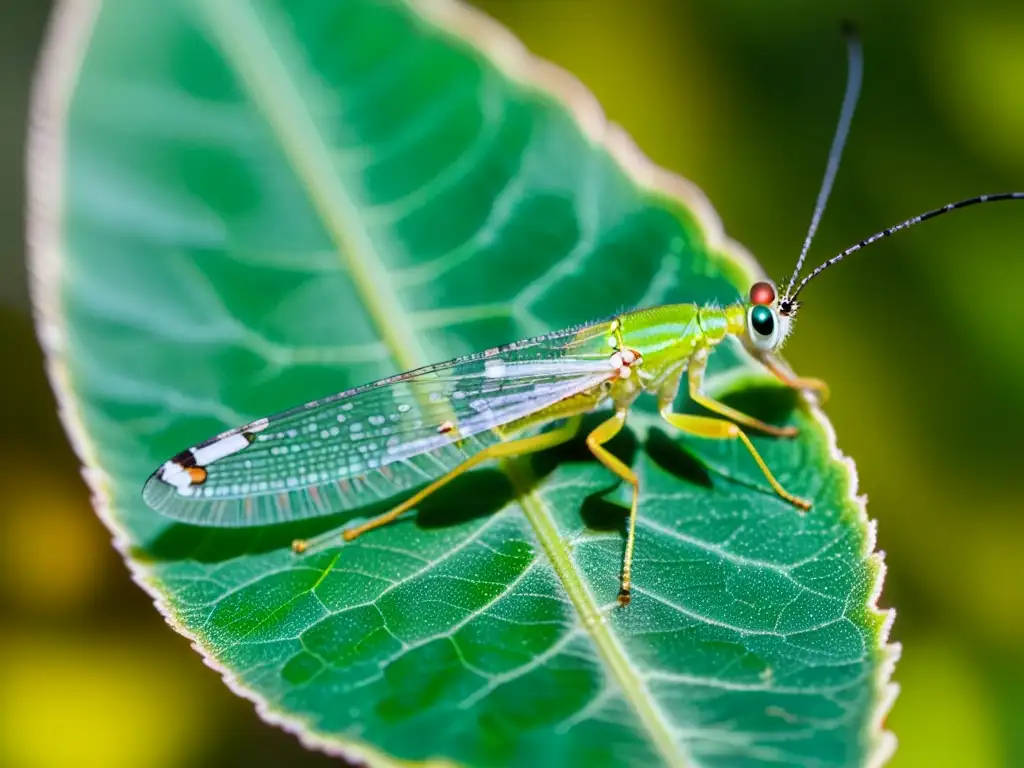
{"x": 376, "y": 441}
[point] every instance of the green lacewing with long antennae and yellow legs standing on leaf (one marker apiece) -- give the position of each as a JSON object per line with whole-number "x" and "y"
{"x": 409, "y": 435}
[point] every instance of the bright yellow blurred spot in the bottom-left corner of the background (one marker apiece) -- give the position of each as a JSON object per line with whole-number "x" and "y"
{"x": 75, "y": 702}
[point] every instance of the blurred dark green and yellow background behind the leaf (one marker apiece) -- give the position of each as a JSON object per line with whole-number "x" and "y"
{"x": 919, "y": 337}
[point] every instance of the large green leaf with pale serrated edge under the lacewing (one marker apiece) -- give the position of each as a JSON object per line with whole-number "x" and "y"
{"x": 239, "y": 207}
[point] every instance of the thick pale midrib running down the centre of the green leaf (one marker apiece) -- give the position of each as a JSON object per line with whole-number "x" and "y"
{"x": 248, "y": 48}
